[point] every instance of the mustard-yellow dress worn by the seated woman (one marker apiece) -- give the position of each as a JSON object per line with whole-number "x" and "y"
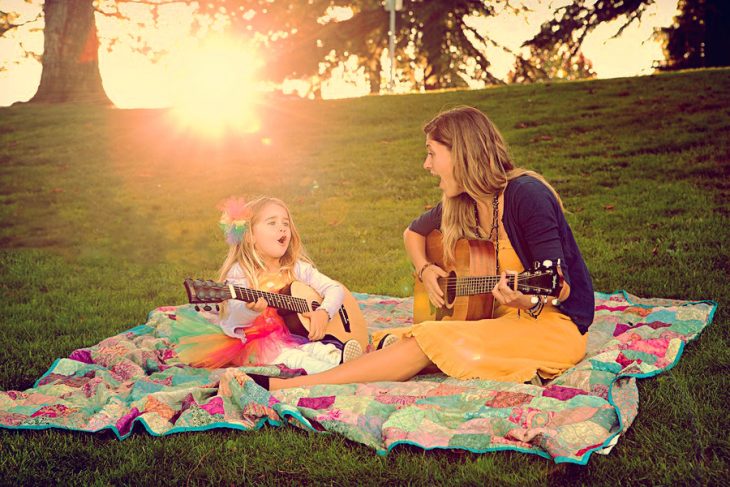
{"x": 508, "y": 347}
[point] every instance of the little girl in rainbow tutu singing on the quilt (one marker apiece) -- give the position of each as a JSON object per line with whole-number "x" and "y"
{"x": 265, "y": 253}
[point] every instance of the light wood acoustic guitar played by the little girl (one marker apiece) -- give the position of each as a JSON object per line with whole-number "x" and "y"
{"x": 291, "y": 303}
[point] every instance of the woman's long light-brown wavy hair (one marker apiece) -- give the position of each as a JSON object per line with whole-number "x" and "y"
{"x": 482, "y": 166}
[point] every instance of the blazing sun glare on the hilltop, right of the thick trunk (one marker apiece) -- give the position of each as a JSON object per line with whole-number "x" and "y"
{"x": 215, "y": 88}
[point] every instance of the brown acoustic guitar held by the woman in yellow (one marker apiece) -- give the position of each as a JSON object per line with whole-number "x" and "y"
{"x": 468, "y": 287}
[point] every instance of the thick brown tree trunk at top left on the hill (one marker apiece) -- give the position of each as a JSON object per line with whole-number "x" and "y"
{"x": 70, "y": 55}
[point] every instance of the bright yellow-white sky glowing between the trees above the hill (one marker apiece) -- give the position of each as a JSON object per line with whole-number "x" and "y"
{"x": 158, "y": 62}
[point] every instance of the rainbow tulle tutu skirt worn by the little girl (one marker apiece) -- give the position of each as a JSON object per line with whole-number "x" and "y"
{"x": 203, "y": 344}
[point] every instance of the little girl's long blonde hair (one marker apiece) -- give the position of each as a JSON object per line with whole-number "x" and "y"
{"x": 244, "y": 253}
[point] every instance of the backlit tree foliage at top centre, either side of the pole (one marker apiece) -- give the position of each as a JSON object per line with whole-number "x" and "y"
{"x": 435, "y": 44}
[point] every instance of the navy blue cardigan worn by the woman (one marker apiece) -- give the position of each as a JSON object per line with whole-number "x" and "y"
{"x": 538, "y": 231}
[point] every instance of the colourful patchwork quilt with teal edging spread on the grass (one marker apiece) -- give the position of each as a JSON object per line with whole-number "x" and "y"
{"x": 136, "y": 378}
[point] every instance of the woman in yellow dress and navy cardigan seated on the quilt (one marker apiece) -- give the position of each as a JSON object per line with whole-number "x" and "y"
{"x": 484, "y": 196}
